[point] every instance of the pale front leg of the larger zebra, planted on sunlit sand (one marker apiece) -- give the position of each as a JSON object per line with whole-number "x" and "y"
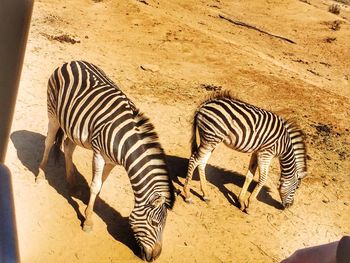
{"x": 95, "y": 188}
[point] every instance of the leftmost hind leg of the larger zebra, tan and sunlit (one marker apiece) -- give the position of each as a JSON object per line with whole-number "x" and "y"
{"x": 52, "y": 129}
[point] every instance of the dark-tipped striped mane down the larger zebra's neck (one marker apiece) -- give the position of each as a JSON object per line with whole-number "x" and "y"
{"x": 150, "y": 138}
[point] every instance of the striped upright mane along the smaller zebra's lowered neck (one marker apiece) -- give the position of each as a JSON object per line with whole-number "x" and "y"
{"x": 297, "y": 137}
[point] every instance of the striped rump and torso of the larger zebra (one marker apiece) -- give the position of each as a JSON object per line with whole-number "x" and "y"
{"x": 84, "y": 101}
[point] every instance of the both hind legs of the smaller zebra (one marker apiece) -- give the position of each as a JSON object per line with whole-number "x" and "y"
{"x": 199, "y": 157}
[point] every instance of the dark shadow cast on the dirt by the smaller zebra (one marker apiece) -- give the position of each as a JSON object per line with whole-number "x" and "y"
{"x": 220, "y": 178}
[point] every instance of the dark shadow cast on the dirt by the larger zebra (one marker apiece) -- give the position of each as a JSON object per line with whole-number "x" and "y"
{"x": 30, "y": 148}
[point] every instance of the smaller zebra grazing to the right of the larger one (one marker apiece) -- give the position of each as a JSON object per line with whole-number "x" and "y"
{"x": 248, "y": 129}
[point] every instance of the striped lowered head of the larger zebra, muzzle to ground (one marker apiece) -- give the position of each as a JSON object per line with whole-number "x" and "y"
{"x": 147, "y": 222}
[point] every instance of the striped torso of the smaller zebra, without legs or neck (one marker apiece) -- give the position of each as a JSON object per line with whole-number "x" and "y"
{"x": 239, "y": 125}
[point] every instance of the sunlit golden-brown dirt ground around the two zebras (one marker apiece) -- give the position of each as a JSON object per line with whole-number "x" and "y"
{"x": 168, "y": 56}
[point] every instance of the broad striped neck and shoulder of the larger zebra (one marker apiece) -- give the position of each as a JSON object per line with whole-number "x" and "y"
{"x": 144, "y": 160}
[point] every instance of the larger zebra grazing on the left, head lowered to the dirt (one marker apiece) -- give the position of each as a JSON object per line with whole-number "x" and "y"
{"x": 87, "y": 109}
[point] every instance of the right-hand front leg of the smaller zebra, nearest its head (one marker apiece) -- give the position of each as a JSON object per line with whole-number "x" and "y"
{"x": 264, "y": 160}
